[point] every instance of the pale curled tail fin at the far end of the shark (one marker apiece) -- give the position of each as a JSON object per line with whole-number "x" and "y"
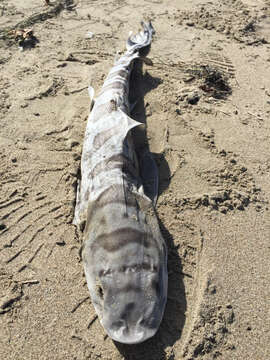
{"x": 141, "y": 41}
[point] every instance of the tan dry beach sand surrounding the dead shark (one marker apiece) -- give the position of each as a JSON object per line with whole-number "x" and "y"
{"x": 206, "y": 102}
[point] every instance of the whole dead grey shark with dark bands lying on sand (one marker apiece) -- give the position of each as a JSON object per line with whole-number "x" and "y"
{"x": 124, "y": 254}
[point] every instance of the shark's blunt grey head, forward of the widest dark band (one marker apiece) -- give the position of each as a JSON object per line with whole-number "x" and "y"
{"x": 129, "y": 291}
